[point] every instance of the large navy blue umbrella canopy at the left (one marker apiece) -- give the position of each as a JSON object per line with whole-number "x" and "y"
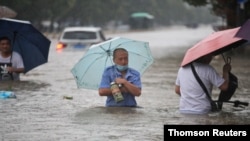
{"x": 31, "y": 44}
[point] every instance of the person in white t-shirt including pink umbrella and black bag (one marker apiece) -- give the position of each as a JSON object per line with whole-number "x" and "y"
{"x": 196, "y": 77}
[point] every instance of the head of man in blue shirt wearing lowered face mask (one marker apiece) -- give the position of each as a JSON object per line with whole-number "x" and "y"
{"x": 120, "y": 58}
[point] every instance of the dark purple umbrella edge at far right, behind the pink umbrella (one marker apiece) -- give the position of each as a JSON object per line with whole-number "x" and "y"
{"x": 244, "y": 31}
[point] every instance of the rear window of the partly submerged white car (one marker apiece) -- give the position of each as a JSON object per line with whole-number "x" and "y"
{"x": 79, "y": 35}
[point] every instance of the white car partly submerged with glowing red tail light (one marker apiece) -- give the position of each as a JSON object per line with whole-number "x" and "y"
{"x": 80, "y": 37}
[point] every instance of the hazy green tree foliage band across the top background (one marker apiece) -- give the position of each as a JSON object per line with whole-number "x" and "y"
{"x": 100, "y": 12}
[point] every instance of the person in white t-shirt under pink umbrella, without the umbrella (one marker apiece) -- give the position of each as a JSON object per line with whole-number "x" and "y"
{"x": 193, "y": 99}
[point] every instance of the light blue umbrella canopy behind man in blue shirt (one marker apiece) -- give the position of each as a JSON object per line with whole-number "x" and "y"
{"x": 88, "y": 71}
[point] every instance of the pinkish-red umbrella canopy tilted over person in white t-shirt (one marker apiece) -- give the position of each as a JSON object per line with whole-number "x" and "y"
{"x": 216, "y": 43}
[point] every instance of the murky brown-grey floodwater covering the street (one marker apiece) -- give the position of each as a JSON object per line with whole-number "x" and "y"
{"x": 39, "y": 113}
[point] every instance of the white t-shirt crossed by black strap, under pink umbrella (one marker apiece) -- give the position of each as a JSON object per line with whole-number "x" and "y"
{"x": 193, "y": 98}
